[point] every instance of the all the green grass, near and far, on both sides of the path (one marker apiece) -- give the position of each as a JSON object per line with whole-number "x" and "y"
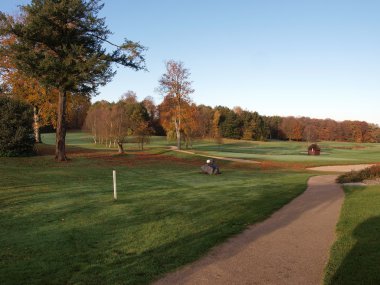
{"x": 60, "y": 224}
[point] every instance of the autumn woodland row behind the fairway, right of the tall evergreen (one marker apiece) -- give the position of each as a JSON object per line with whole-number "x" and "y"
{"x": 200, "y": 121}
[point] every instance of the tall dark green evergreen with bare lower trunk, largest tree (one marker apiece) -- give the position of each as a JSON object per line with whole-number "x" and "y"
{"x": 60, "y": 44}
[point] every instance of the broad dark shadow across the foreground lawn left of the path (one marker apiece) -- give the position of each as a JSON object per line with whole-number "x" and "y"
{"x": 48, "y": 249}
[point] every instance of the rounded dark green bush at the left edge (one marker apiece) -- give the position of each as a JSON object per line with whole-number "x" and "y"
{"x": 16, "y": 128}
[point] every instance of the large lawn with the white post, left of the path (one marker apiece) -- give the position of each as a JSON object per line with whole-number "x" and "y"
{"x": 60, "y": 224}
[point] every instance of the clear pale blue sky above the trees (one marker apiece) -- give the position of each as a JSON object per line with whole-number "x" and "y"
{"x": 303, "y": 58}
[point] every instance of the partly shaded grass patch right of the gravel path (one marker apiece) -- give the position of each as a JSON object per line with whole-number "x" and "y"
{"x": 355, "y": 256}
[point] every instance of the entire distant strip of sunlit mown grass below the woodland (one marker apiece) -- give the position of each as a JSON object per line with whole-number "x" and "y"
{"x": 333, "y": 153}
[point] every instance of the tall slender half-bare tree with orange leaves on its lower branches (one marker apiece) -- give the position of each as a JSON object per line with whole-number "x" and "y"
{"x": 174, "y": 84}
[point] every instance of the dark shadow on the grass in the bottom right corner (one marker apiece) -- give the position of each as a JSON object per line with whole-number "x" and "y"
{"x": 362, "y": 263}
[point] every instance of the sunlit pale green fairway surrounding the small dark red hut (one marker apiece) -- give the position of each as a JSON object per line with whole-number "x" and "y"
{"x": 332, "y": 153}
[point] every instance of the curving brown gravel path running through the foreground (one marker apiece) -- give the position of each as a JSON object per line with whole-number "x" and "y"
{"x": 290, "y": 247}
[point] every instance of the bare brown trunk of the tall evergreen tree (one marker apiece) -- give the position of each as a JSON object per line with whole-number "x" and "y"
{"x": 60, "y": 145}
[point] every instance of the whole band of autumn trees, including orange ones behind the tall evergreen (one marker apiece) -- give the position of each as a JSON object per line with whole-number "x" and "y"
{"x": 115, "y": 121}
